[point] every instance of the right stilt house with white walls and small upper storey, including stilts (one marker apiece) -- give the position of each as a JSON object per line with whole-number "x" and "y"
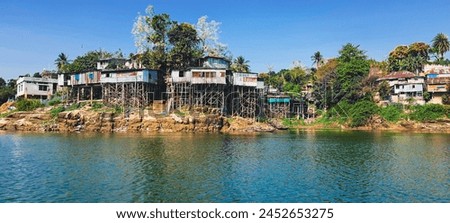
{"x": 212, "y": 84}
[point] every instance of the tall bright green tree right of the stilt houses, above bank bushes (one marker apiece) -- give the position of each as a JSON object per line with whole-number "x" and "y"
{"x": 352, "y": 68}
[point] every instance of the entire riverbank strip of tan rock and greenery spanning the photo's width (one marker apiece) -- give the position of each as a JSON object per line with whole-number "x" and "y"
{"x": 104, "y": 120}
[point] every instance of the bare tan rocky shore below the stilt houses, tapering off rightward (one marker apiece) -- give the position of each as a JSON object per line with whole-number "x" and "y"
{"x": 103, "y": 122}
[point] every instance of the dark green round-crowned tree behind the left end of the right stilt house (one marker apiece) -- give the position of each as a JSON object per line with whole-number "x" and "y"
{"x": 185, "y": 50}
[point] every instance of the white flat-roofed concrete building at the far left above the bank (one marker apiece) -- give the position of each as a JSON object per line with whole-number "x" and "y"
{"x": 33, "y": 87}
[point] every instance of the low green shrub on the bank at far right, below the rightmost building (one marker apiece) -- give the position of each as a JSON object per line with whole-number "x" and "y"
{"x": 428, "y": 112}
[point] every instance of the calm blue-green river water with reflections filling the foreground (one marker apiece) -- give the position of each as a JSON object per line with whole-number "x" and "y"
{"x": 321, "y": 166}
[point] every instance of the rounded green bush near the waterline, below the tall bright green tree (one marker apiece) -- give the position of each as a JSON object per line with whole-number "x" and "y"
{"x": 361, "y": 112}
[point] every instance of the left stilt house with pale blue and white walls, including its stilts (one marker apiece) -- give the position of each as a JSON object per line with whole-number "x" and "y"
{"x": 115, "y": 81}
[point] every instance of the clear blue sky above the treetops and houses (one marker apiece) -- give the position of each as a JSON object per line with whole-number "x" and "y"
{"x": 266, "y": 32}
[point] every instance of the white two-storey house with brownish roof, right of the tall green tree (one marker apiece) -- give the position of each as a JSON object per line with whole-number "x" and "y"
{"x": 406, "y": 87}
